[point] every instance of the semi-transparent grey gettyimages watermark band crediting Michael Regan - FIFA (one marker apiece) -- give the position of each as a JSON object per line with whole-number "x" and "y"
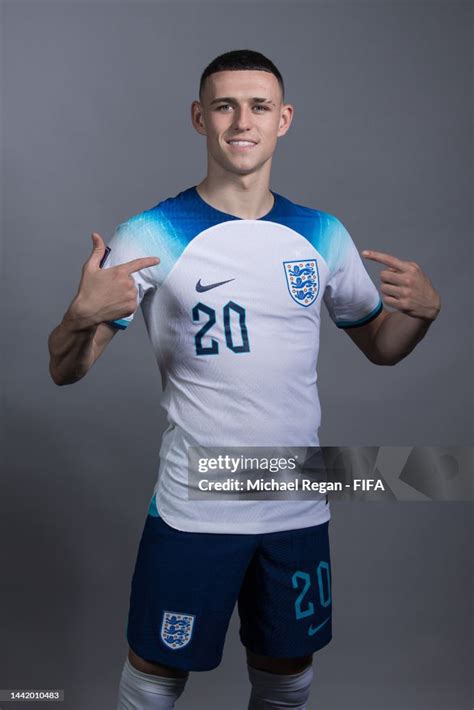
{"x": 370, "y": 473}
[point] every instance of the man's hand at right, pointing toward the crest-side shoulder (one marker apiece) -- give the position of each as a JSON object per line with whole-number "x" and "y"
{"x": 406, "y": 287}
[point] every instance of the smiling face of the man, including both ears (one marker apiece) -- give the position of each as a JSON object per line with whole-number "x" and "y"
{"x": 230, "y": 112}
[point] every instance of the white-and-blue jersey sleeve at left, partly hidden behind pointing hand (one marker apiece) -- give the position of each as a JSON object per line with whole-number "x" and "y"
{"x": 125, "y": 245}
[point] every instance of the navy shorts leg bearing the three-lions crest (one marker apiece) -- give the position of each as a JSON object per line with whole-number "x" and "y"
{"x": 183, "y": 592}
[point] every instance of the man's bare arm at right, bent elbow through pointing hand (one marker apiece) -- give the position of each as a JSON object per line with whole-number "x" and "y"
{"x": 392, "y": 335}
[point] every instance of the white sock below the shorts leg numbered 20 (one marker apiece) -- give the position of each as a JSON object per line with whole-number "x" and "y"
{"x": 275, "y": 690}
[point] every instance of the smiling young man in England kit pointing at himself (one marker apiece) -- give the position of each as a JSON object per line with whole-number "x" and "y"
{"x": 230, "y": 276}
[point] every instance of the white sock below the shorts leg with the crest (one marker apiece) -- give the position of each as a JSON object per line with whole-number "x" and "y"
{"x": 145, "y": 691}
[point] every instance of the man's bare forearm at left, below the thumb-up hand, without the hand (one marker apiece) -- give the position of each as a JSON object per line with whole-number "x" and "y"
{"x": 71, "y": 348}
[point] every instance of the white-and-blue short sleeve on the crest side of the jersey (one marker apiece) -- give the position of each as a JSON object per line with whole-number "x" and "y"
{"x": 350, "y": 295}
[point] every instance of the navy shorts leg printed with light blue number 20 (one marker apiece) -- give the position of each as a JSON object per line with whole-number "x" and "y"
{"x": 285, "y": 603}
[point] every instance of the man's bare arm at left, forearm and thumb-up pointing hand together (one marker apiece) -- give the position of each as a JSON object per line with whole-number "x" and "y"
{"x": 103, "y": 295}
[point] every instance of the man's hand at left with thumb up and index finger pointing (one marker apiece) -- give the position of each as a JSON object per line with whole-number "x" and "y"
{"x": 106, "y": 294}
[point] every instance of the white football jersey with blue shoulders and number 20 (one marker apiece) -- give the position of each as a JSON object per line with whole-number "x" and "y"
{"x": 233, "y": 315}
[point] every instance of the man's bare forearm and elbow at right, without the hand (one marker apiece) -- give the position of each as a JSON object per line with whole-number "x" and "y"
{"x": 397, "y": 336}
